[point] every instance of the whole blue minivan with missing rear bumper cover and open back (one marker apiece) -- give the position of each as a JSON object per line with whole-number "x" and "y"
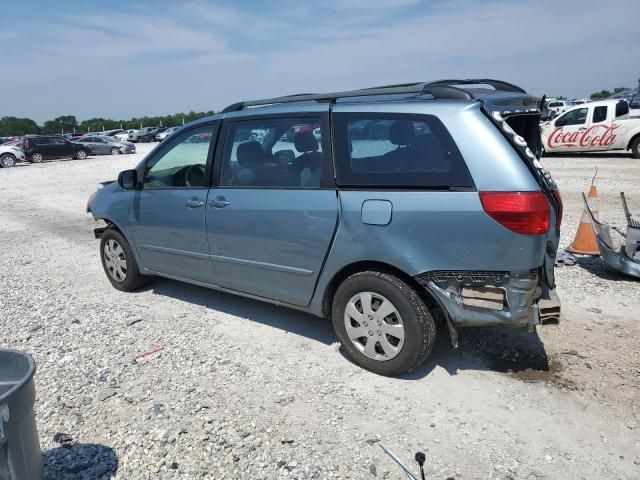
{"x": 450, "y": 216}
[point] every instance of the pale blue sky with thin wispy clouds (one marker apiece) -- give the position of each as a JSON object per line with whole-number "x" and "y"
{"x": 119, "y": 59}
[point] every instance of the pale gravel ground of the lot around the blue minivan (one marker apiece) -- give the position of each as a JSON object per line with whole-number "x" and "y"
{"x": 234, "y": 388}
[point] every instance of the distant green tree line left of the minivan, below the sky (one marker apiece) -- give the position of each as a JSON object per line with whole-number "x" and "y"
{"x": 13, "y": 126}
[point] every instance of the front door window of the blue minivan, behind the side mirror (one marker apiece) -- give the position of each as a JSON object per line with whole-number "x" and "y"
{"x": 183, "y": 163}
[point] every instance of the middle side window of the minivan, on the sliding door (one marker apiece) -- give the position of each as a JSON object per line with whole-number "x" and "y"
{"x": 268, "y": 152}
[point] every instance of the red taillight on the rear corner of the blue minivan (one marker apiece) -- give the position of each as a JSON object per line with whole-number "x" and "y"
{"x": 523, "y": 212}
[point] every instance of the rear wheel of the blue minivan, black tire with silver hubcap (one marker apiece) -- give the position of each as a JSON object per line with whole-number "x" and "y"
{"x": 382, "y": 323}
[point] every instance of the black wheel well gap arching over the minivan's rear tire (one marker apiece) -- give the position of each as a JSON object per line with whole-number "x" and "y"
{"x": 370, "y": 265}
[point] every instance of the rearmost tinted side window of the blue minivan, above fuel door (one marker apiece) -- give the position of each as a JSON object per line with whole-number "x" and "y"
{"x": 397, "y": 151}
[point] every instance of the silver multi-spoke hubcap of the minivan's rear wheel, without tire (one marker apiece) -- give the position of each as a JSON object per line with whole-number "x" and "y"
{"x": 374, "y": 326}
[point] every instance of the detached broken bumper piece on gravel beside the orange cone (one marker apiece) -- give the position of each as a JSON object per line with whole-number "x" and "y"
{"x": 627, "y": 260}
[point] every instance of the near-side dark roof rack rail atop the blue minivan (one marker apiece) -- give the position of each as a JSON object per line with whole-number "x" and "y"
{"x": 419, "y": 88}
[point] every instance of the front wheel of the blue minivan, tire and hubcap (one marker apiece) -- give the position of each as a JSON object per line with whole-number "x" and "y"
{"x": 118, "y": 261}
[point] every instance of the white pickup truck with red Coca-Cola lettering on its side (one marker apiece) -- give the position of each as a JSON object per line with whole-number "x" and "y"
{"x": 593, "y": 127}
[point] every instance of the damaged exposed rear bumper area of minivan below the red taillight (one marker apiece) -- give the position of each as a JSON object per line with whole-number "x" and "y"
{"x": 517, "y": 299}
